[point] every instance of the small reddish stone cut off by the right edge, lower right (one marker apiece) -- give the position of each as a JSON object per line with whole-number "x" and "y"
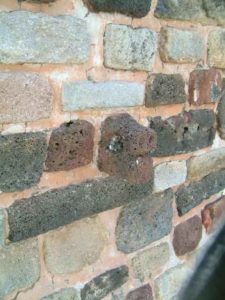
{"x": 213, "y": 213}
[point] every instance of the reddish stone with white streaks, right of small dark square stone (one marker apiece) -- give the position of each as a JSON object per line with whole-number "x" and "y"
{"x": 204, "y": 86}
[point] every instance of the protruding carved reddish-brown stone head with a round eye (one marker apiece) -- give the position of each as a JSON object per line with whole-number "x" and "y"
{"x": 124, "y": 147}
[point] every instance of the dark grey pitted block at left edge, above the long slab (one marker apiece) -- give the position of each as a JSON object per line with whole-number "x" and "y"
{"x": 22, "y": 157}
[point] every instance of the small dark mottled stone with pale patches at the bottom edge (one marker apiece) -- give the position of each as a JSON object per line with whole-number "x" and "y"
{"x": 101, "y": 286}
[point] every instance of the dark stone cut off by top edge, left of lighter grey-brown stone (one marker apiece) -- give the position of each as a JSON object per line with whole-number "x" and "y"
{"x": 135, "y": 8}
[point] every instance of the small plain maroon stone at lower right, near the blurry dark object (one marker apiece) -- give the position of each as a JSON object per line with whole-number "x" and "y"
{"x": 187, "y": 235}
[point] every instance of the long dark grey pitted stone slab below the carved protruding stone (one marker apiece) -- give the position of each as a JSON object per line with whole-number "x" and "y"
{"x": 57, "y": 207}
